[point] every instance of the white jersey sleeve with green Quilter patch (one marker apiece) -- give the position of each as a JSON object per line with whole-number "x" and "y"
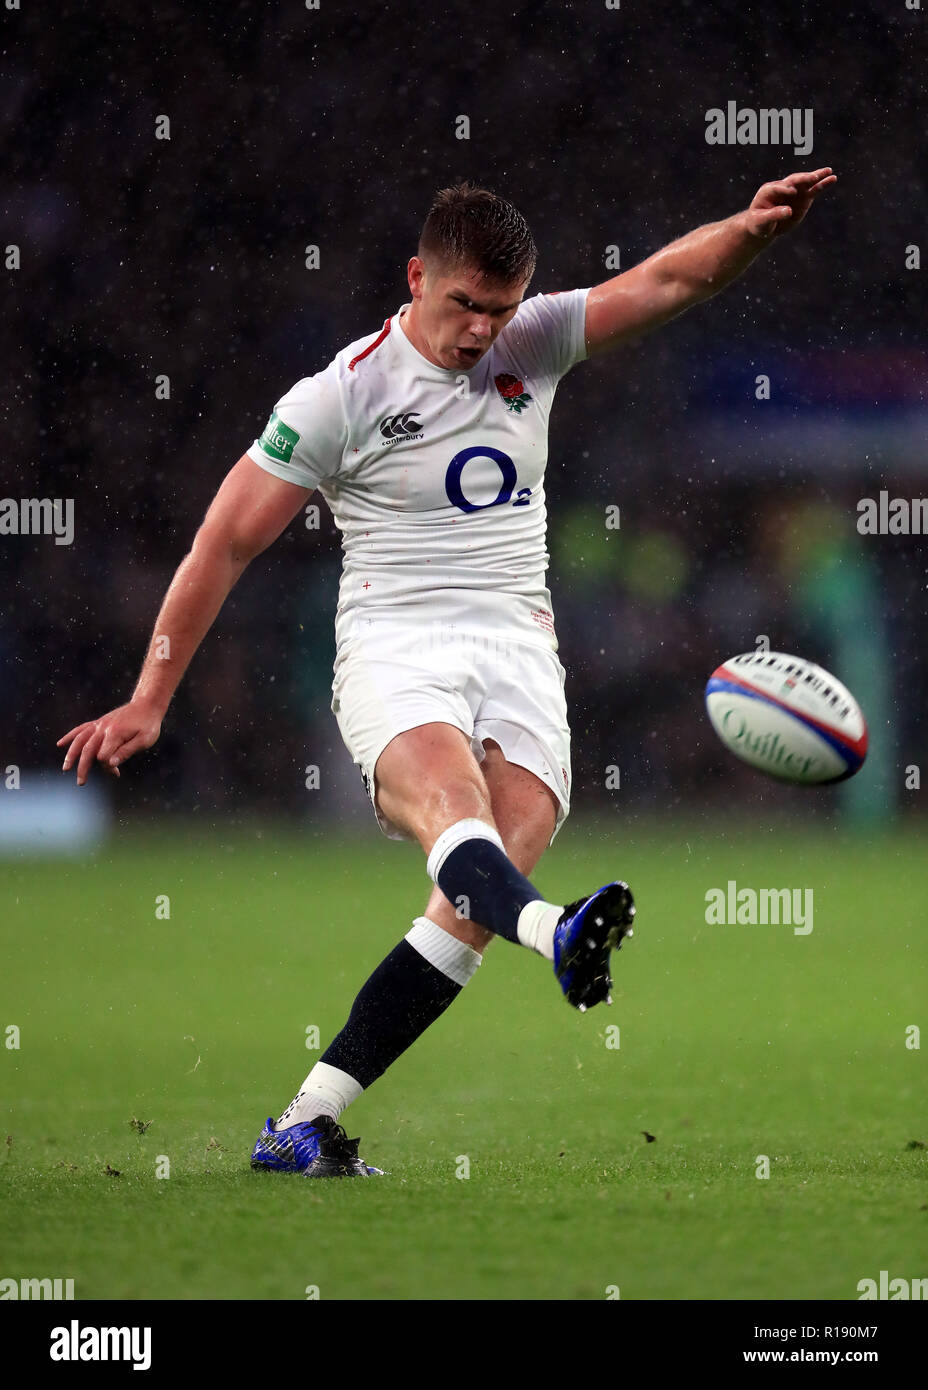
{"x": 305, "y": 439}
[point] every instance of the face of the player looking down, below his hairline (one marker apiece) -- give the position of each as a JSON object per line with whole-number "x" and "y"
{"x": 461, "y": 316}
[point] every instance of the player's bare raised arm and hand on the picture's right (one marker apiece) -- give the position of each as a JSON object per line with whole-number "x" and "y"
{"x": 697, "y": 266}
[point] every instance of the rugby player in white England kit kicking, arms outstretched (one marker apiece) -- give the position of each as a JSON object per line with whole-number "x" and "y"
{"x": 429, "y": 441}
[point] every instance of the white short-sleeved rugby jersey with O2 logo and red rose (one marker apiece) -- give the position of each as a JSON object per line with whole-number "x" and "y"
{"x": 436, "y": 476}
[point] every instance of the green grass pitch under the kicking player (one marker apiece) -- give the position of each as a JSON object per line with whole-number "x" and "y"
{"x": 736, "y": 1042}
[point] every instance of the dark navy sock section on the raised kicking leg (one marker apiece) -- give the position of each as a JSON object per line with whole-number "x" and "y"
{"x": 479, "y": 878}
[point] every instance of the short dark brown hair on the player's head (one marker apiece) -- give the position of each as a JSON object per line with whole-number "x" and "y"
{"x": 472, "y": 229}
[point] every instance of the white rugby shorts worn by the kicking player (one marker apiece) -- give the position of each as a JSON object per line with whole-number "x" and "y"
{"x": 397, "y": 679}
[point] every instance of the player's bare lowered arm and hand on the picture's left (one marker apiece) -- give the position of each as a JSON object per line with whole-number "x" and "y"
{"x": 248, "y": 514}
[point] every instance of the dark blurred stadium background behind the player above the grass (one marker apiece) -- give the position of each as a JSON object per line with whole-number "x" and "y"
{"x": 335, "y": 127}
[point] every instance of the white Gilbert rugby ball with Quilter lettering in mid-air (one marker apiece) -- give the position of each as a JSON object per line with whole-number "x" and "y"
{"x": 787, "y": 718}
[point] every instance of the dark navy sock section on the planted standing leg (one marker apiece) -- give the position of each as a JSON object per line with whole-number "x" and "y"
{"x": 398, "y": 1004}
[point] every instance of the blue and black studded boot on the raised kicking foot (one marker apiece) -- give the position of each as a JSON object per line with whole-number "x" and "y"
{"x": 586, "y": 933}
